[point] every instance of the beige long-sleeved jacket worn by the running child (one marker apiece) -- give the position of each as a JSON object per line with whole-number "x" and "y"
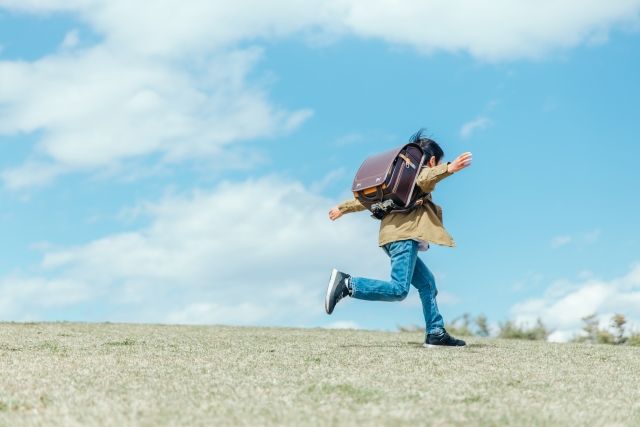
{"x": 423, "y": 223}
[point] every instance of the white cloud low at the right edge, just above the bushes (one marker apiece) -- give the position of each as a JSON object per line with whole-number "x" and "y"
{"x": 564, "y": 303}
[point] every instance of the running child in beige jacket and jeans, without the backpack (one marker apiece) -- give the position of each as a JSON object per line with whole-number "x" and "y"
{"x": 402, "y": 235}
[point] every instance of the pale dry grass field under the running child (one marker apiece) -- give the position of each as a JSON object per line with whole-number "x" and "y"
{"x": 68, "y": 374}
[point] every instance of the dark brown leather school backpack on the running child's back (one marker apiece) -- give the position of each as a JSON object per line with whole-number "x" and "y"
{"x": 385, "y": 182}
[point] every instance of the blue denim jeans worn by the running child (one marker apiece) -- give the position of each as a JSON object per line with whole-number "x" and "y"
{"x": 406, "y": 269}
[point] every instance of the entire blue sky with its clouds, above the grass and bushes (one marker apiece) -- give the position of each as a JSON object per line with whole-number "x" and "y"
{"x": 166, "y": 169}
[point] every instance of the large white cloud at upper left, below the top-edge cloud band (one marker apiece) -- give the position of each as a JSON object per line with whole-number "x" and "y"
{"x": 97, "y": 108}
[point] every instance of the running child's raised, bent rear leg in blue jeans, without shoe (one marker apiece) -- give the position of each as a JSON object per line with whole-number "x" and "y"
{"x": 403, "y": 256}
